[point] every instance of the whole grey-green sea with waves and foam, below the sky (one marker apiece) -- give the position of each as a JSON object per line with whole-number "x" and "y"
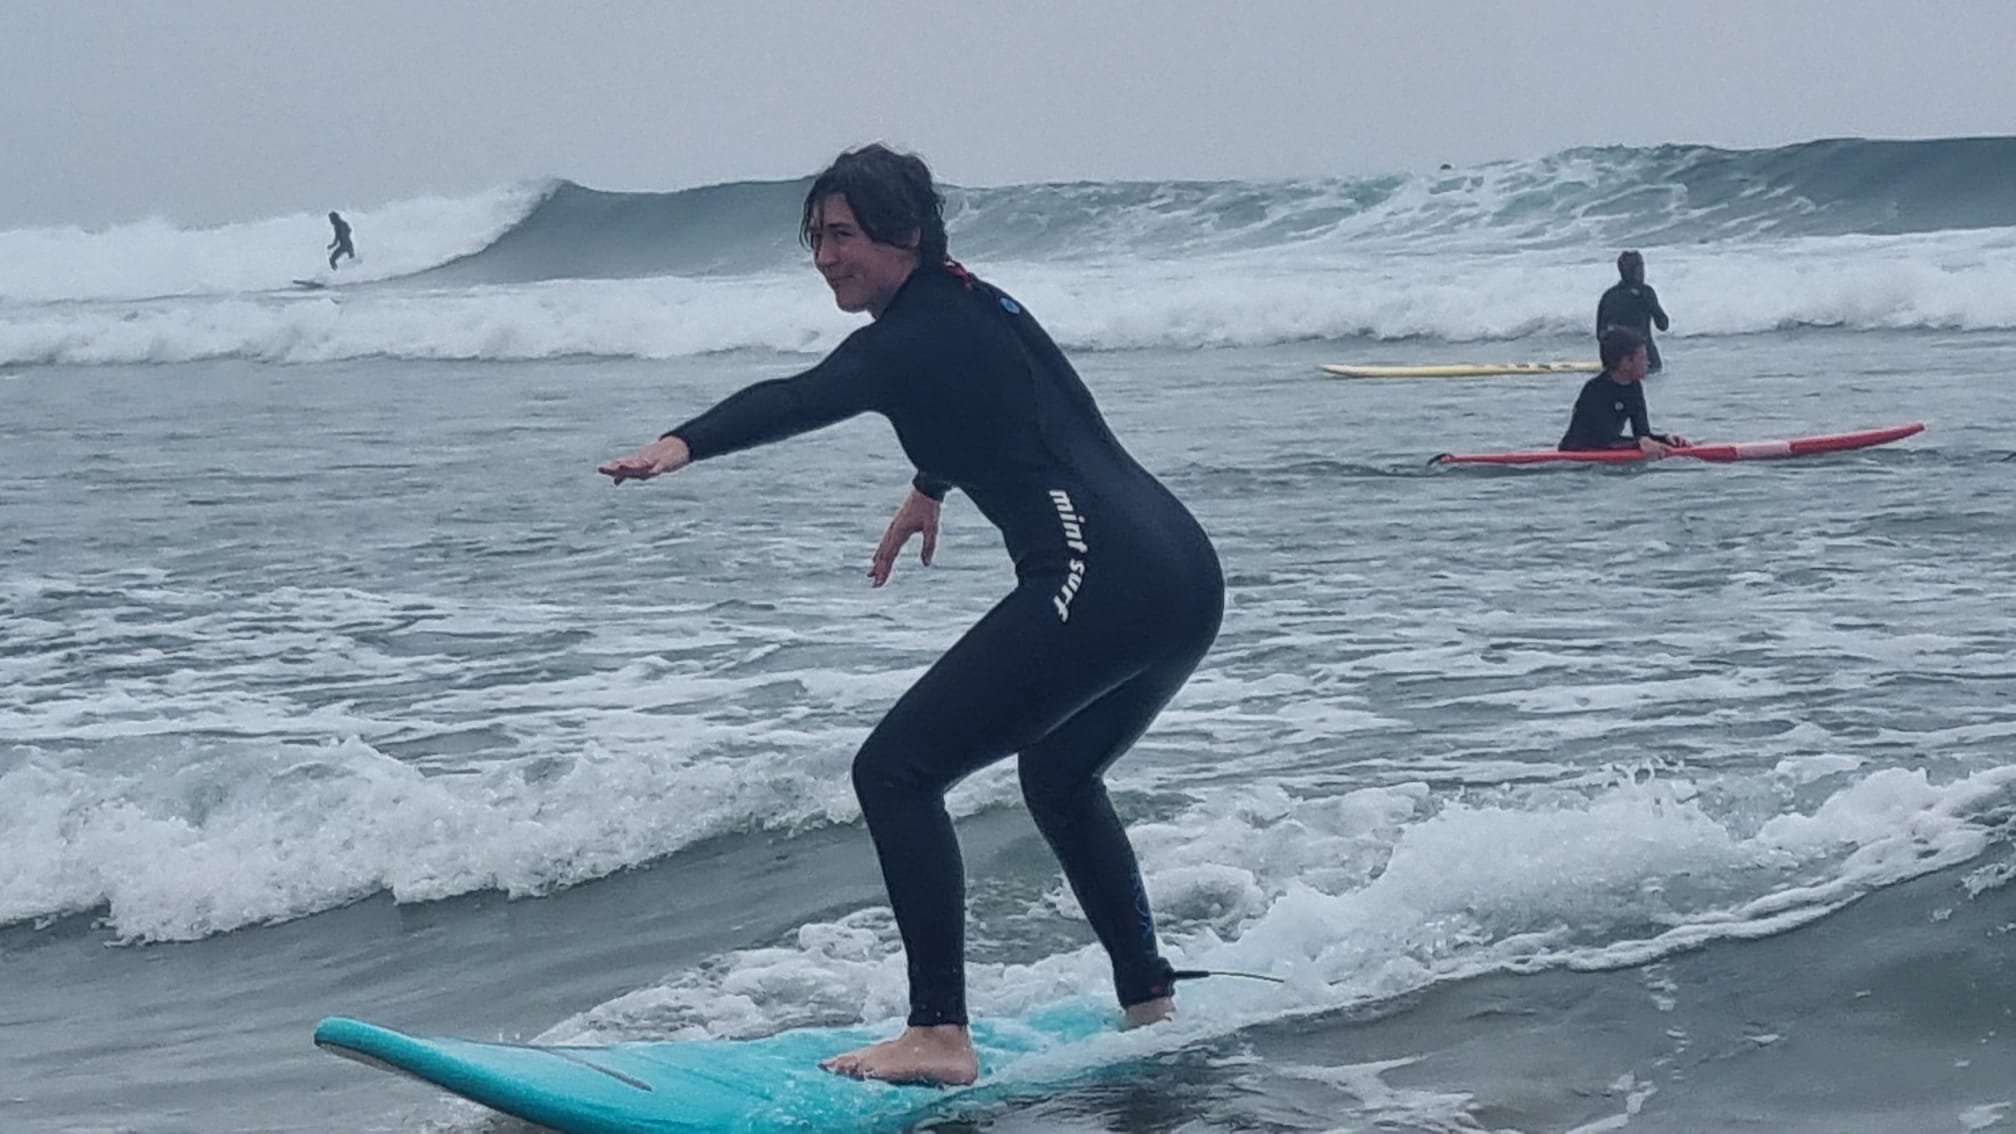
{"x": 1563, "y": 800}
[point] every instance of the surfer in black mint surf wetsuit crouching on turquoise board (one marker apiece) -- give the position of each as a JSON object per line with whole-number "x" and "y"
{"x": 1118, "y": 588}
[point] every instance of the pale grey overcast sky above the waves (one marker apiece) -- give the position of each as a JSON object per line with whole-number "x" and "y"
{"x": 227, "y": 110}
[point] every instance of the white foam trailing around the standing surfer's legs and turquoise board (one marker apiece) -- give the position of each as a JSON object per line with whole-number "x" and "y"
{"x": 1382, "y": 893}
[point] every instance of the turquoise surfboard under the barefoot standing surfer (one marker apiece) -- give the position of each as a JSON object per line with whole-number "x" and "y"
{"x": 741, "y": 1087}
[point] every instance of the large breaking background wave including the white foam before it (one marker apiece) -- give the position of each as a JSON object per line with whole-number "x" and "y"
{"x": 1854, "y": 235}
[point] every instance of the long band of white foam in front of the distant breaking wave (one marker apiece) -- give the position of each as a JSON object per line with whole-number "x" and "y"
{"x": 1932, "y": 281}
